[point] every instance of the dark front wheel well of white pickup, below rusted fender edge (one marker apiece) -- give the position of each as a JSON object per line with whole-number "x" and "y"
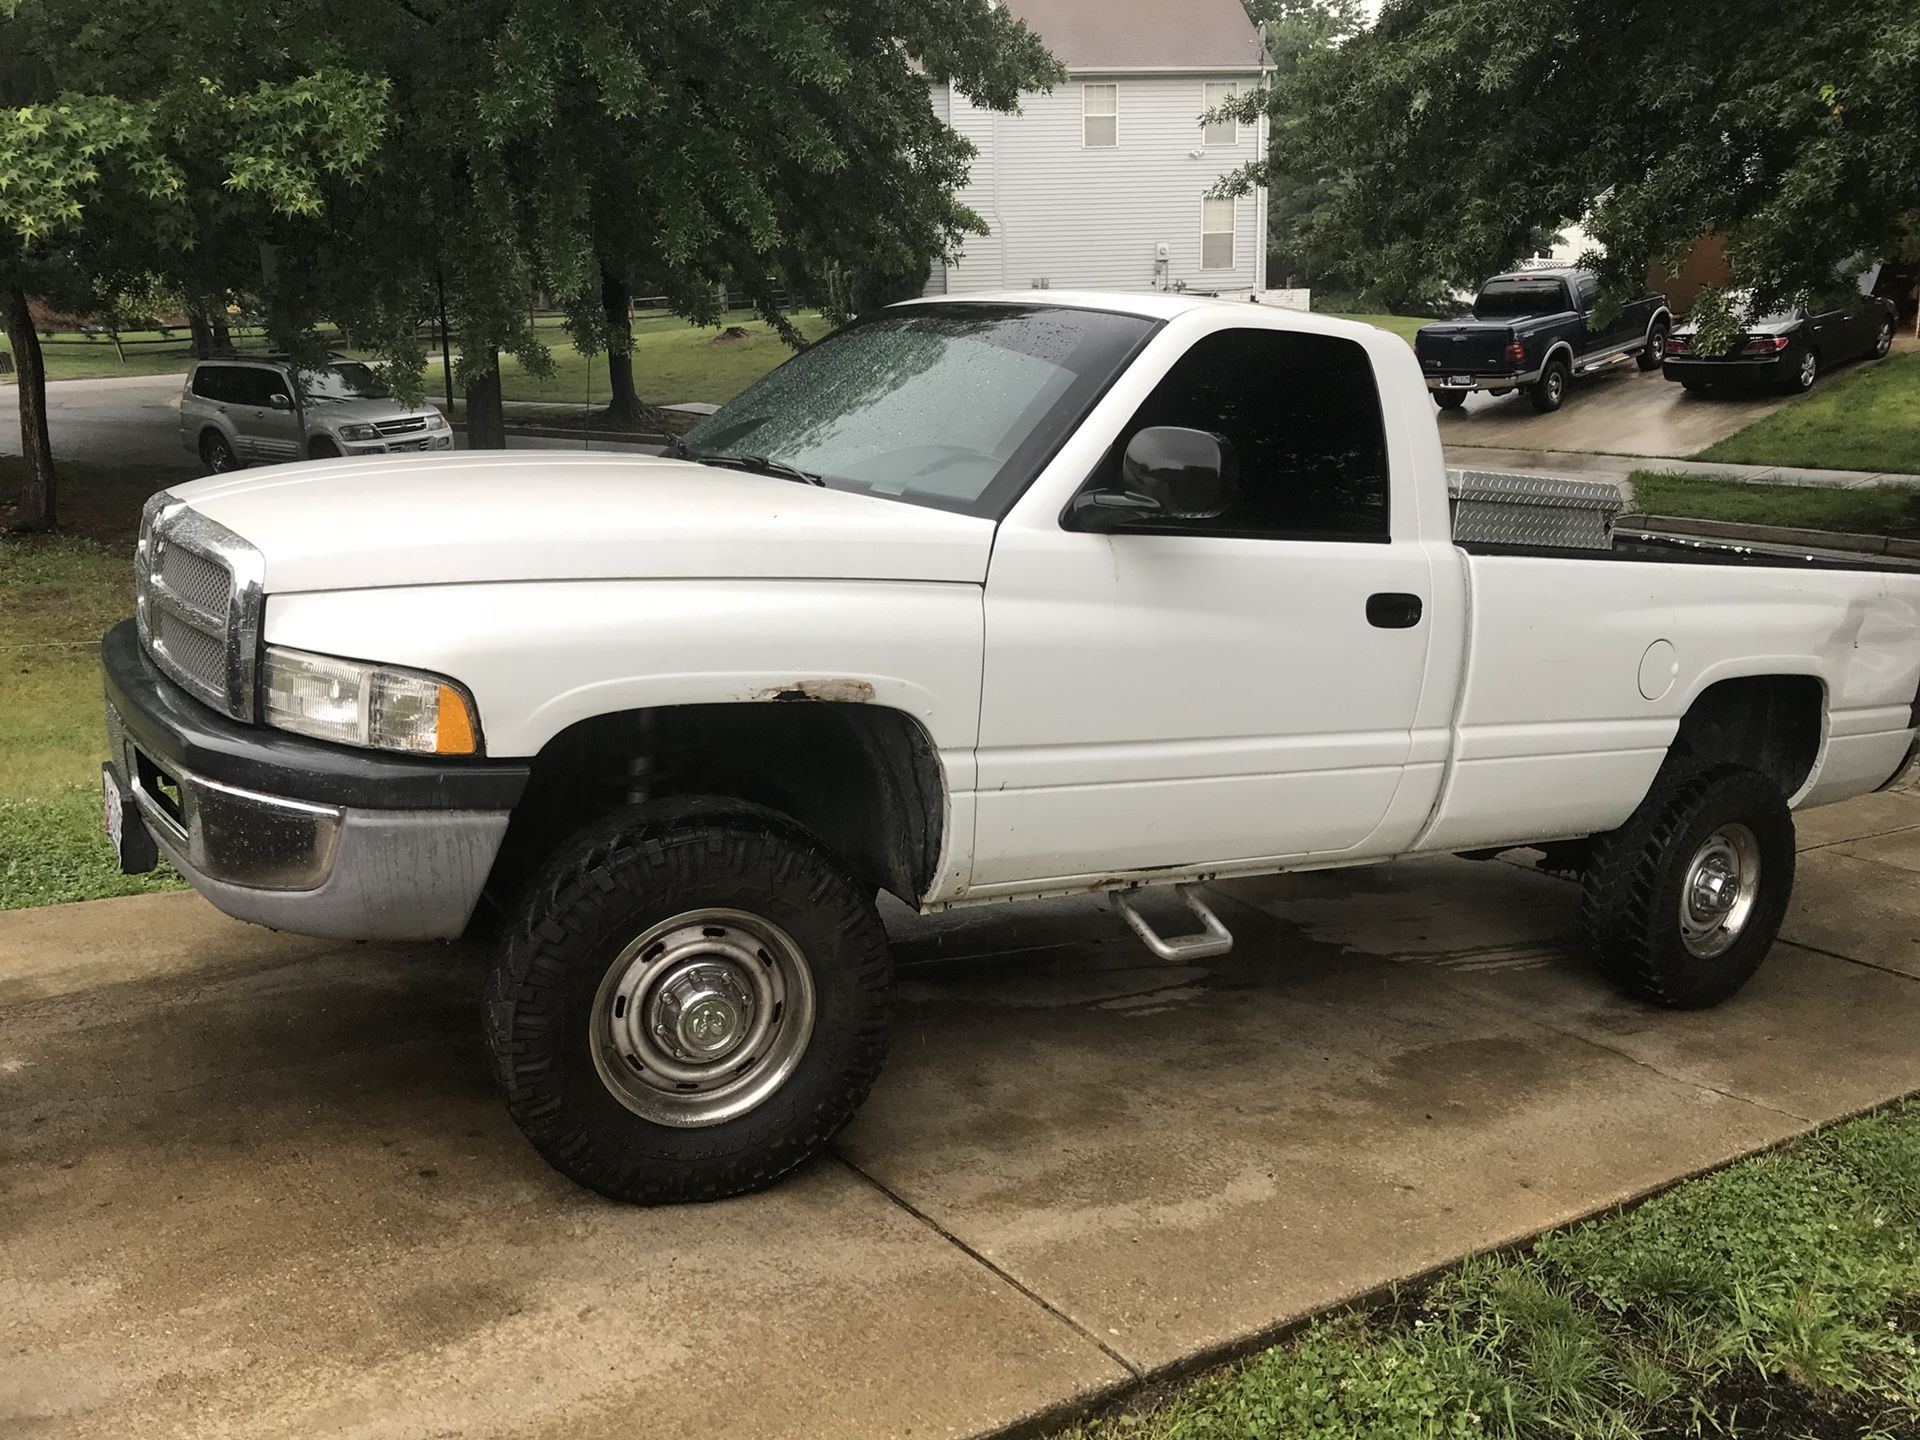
{"x": 863, "y": 779}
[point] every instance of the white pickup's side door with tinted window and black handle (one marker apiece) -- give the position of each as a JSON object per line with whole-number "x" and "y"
{"x": 1205, "y": 692}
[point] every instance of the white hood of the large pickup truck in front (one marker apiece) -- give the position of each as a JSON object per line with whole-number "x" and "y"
{"x": 542, "y": 516}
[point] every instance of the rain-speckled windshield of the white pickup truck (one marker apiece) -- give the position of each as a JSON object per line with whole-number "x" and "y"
{"x": 953, "y": 406}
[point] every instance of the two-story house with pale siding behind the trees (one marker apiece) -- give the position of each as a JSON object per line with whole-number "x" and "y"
{"x": 1103, "y": 183}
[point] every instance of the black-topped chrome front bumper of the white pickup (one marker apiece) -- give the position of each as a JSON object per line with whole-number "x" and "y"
{"x": 297, "y": 834}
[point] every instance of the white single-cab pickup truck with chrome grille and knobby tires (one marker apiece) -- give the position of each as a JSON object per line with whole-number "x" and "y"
{"x": 972, "y": 602}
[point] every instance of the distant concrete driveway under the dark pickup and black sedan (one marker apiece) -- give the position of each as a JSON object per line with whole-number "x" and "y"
{"x": 1620, "y": 412}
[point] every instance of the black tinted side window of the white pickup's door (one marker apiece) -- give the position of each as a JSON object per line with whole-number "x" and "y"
{"x": 1305, "y": 420}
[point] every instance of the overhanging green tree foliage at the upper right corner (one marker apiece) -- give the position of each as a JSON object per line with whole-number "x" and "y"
{"x": 1458, "y": 128}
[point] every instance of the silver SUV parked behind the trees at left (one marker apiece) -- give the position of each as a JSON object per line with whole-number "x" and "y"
{"x": 266, "y": 408}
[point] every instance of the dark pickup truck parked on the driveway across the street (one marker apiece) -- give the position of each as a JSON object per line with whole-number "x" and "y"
{"x": 1535, "y": 331}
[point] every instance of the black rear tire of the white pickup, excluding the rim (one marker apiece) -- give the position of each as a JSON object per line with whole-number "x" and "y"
{"x": 1633, "y": 894}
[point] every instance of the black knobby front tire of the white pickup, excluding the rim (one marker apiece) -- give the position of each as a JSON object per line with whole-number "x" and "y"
{"x": 600, "y": 894}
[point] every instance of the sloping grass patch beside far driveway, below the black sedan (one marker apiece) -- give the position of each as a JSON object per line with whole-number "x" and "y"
{"x": 1865, "y": 418}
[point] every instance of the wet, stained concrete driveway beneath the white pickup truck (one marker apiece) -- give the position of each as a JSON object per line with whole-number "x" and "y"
{"x": 256, "y": 1186}
